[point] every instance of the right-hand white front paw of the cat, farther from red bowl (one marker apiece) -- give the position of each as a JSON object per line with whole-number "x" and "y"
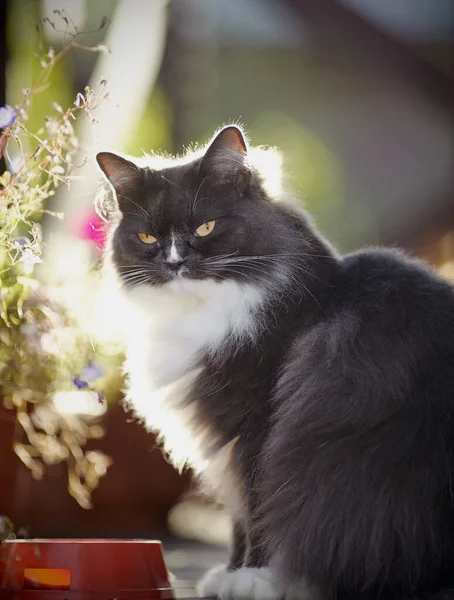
{"x": 251, "y": 584}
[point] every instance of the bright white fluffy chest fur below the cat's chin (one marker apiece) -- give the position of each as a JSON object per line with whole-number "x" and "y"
{"x": 168, "y": 330}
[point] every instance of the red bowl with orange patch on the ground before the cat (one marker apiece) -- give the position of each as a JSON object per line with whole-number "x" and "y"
{"x": 83, "y": 570}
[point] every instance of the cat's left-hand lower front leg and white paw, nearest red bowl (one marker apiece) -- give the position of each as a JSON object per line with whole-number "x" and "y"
{"x": 211, "y": 583}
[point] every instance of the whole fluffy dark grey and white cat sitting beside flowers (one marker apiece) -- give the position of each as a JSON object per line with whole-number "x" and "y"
{"x": 312, "y": 393}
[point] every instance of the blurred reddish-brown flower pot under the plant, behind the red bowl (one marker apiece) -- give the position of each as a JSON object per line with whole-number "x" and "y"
{"x": 132, "y": 500}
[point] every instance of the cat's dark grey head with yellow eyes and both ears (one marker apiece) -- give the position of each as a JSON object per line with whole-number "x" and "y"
{"x": 206, "y": 218}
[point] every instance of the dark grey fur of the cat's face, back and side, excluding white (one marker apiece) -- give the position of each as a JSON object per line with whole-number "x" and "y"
{"x": 344, "y": 405}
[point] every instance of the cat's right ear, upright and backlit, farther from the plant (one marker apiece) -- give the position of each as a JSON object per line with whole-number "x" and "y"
{"x": 226, "y": 156}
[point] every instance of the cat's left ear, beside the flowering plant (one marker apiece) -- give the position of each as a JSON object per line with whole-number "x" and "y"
{"x": 123, "y": 175}
